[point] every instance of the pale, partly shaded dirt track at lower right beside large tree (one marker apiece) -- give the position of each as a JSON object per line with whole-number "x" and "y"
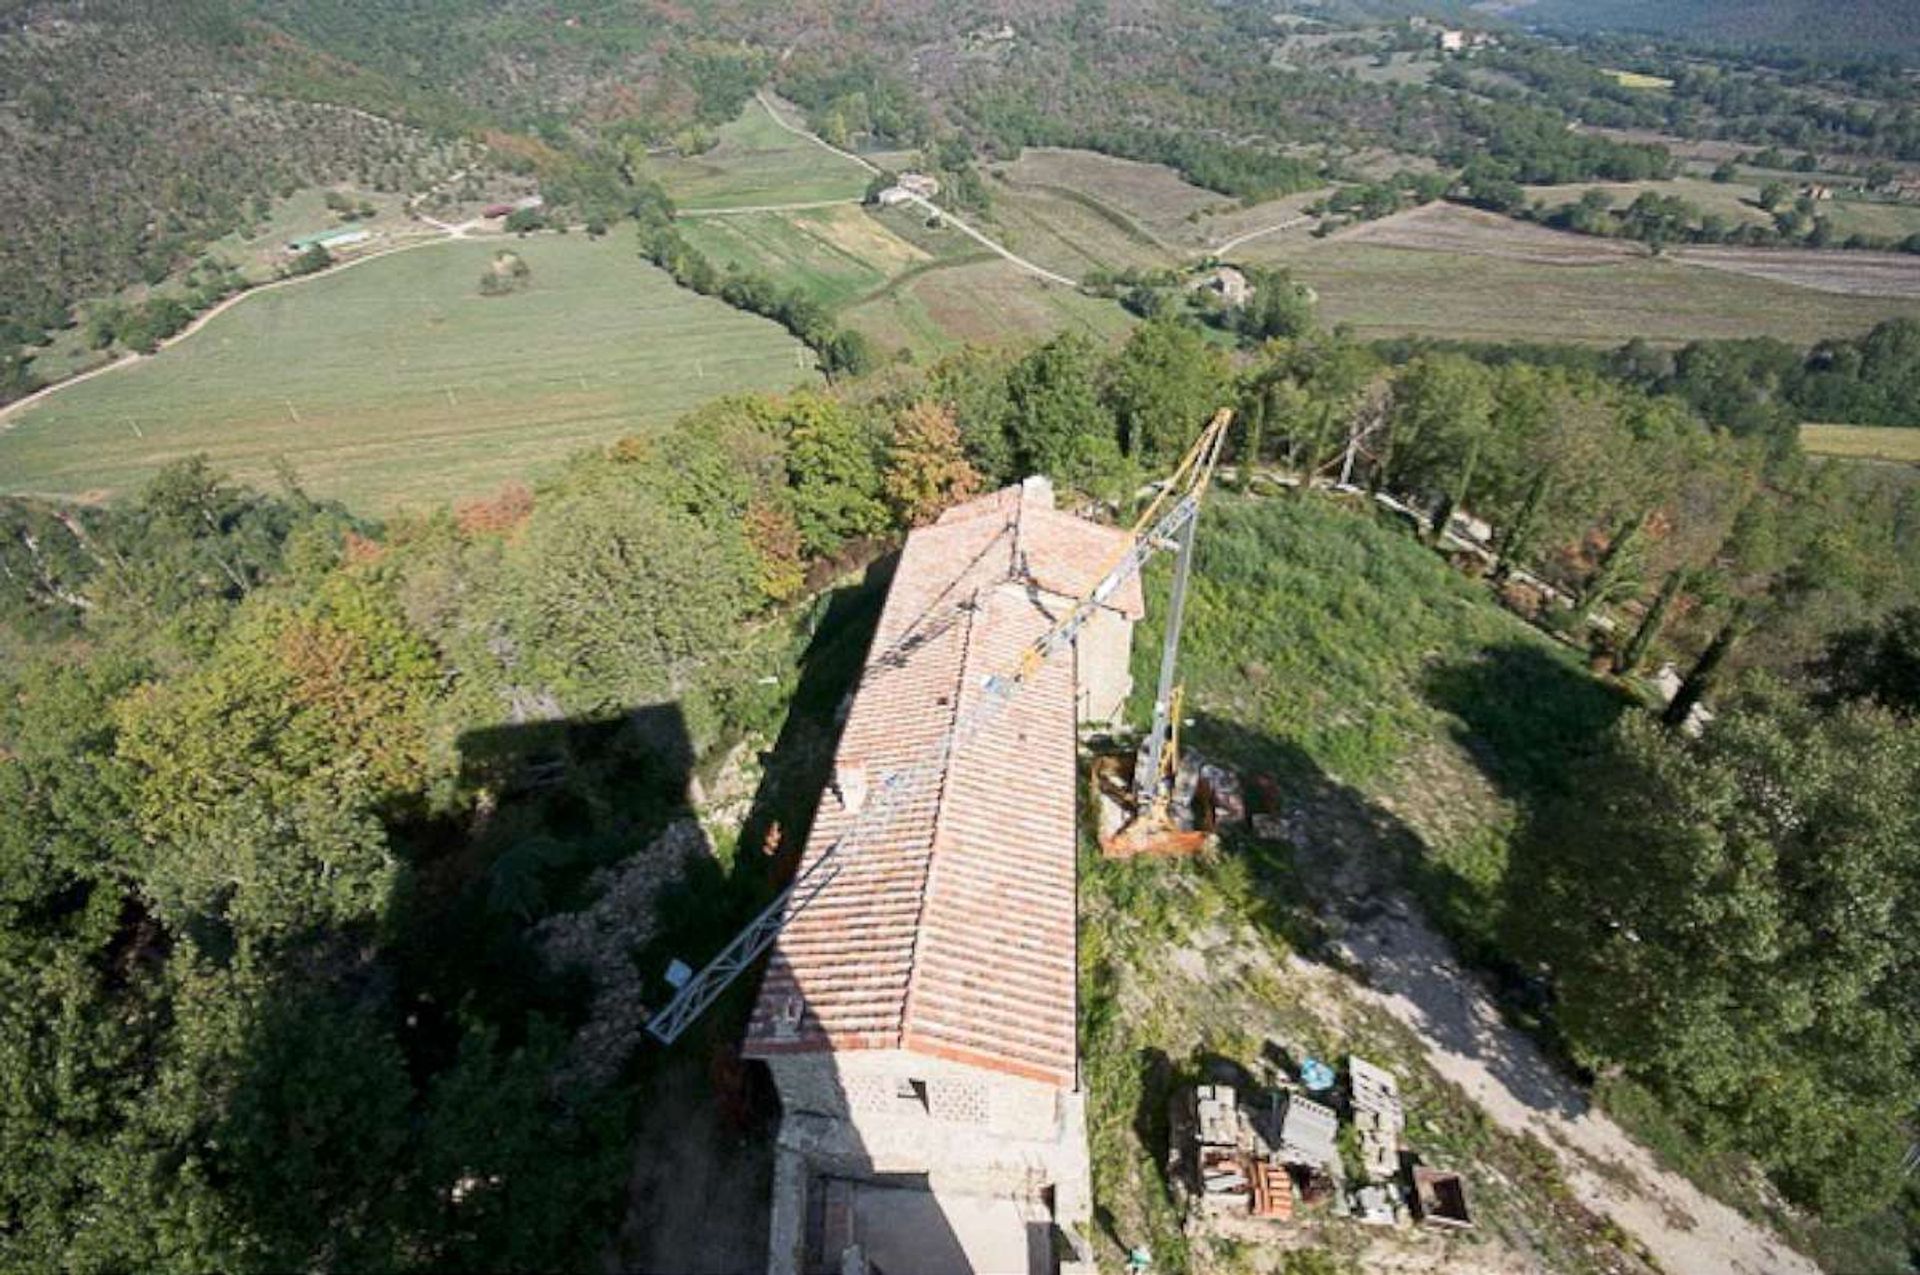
{"x": 1416, "y": 978}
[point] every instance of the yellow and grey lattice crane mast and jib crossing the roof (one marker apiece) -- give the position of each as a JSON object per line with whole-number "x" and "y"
{"x": 1166, "y": 523}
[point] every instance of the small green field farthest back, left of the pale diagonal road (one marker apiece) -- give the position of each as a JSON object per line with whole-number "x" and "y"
{"x": 759, "y": 162}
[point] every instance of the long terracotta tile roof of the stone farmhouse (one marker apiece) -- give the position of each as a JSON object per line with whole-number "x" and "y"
{"x": 951, "y": 926}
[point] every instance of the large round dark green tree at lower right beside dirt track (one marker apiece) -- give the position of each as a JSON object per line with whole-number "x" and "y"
{"x": 1725, "y": 919}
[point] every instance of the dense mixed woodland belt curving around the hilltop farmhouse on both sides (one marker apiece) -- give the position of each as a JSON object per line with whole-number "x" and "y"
{"x": 320, "y": 830}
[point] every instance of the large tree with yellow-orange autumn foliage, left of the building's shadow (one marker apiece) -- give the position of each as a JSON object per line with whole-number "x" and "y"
{"x": 262, "y": 777}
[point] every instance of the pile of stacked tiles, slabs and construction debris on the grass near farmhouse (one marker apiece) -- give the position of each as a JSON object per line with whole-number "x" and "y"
{"x": 1255, "y": 1161}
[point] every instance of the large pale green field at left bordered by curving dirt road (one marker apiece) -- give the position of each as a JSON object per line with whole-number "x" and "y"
{"x": 398, "y": 383}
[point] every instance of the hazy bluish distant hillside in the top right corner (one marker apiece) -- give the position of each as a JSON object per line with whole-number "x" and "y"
{"x": 1850, "y": 28}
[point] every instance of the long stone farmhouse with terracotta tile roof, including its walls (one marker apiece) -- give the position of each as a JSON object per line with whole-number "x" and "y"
{"x": 919, "y": 1017}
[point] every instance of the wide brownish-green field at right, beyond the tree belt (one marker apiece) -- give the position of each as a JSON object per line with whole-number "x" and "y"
{"x": 1481, "y": 297}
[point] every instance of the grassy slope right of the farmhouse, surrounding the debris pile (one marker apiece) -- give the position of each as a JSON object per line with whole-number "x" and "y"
{"x": 1366, "y": 694}
